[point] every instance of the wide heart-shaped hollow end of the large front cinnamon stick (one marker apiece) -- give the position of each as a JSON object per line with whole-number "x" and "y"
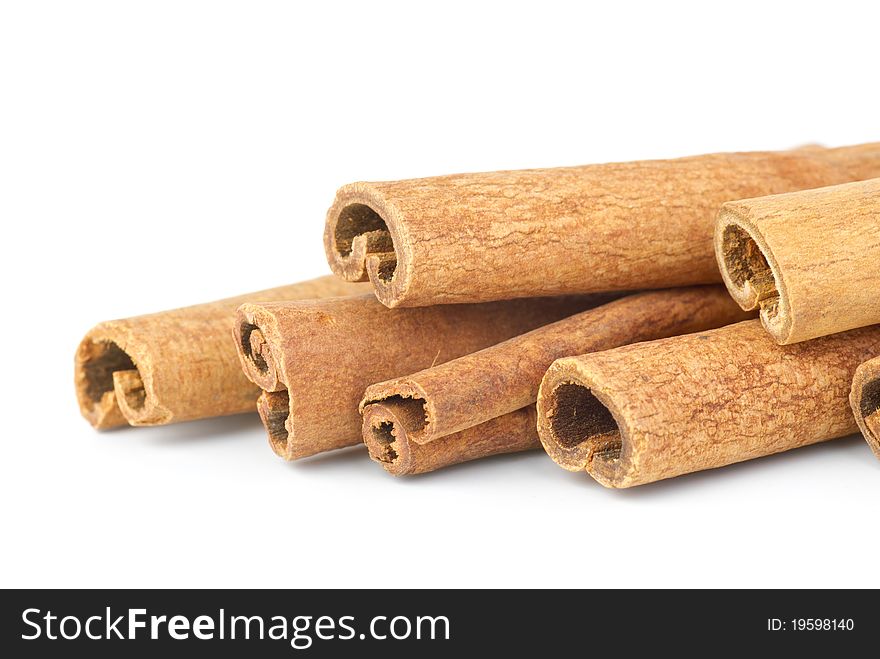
{"x": 579, "y": 426}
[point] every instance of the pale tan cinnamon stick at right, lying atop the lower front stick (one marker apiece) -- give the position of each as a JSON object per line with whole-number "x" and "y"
{"x": 809, "y": 260}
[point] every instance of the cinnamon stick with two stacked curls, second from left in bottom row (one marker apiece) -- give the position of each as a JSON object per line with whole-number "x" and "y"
{"x": 315, "y": 358}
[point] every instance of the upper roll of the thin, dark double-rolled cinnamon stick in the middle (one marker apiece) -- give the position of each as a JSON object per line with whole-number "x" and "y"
{"x": 503, "y": 378}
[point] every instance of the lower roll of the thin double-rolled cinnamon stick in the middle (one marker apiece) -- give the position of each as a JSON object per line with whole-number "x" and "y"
{"x": 386, "y": 436}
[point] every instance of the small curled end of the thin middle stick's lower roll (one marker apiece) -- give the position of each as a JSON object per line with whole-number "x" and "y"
{"x": 386, "y": 435}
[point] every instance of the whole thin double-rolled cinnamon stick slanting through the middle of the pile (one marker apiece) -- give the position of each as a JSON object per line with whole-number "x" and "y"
{"x": 445, "y": 400}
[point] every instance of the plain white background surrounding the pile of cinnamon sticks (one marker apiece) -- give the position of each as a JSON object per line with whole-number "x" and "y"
{"x": 159, "y": 154}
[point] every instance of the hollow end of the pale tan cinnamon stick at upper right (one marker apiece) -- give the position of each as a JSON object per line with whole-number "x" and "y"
{"x": 751, "y": 274}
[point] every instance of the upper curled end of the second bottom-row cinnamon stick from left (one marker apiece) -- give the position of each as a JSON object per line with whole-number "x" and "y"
{"x": 255, "y": 351}
